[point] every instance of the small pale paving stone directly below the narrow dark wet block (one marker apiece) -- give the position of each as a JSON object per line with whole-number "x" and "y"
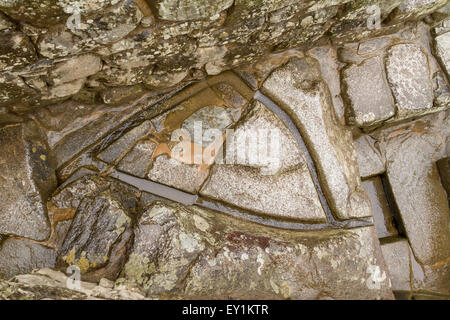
{"x": 396, "y": 254}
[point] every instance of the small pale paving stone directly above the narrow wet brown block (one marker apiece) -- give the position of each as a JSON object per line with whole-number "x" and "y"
{"x": 370, "y": 160}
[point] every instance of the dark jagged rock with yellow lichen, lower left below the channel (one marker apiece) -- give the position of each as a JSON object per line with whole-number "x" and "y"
{"x": 100, "y": 233}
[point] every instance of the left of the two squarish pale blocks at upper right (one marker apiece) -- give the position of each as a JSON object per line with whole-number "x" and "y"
{"x": 368, "y": 92}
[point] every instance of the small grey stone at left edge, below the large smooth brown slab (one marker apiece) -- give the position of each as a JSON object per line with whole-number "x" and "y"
{"x": 21, "y": 257}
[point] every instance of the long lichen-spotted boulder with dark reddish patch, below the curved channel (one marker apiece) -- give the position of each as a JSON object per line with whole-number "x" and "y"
{"x": 199, "y": 254}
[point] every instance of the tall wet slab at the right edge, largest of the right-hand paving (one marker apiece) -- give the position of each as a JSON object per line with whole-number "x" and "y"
{"x": 415, "y": 183}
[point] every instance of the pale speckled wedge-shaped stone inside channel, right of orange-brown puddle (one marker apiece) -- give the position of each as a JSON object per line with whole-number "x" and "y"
{"x": 276, "y": 182}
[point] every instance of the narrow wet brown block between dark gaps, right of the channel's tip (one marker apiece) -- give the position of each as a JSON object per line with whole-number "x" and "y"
{"x": 382, "y": 215}
